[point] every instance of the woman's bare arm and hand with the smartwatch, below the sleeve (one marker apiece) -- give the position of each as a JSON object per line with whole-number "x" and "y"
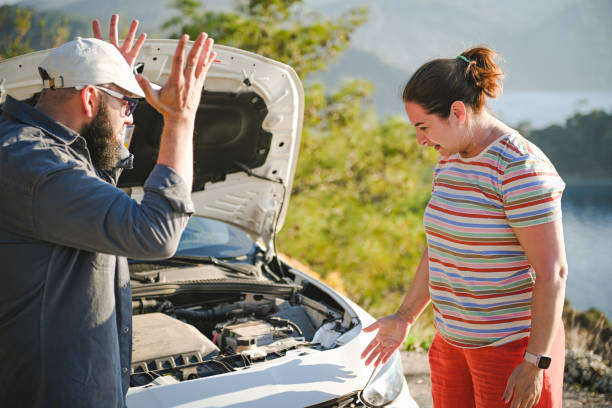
{"x": 545, "y": 249}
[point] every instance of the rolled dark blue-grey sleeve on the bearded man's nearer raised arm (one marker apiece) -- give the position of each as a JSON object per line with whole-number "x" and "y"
{"x": 72, "y": 208}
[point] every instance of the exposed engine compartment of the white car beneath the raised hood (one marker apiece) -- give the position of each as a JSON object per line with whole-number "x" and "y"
{"x": 184, "y": 337}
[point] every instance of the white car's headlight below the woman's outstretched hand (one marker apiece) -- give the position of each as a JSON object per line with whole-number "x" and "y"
{"x": 386, "y": 384}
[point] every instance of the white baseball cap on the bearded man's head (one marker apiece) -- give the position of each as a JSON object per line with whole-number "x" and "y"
{"x": 87, "y": 61}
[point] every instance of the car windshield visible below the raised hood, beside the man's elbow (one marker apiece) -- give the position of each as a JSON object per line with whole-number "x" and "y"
{"x": 206, "y": 237}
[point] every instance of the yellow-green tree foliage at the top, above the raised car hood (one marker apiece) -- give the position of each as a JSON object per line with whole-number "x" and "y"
{"x": 278, "y": 29}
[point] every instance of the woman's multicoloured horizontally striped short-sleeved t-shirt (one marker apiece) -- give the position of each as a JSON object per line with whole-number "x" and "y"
{"x": 480, "y": 281}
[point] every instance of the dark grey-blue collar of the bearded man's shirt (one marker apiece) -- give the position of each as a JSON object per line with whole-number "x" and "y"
{"x": 32, "y": 116}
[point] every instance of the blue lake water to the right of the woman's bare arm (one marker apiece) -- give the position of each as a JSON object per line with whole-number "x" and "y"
{"x": 587, "y": 223}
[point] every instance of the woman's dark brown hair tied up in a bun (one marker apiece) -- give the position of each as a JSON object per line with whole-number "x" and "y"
{"x": 439, "y": 83}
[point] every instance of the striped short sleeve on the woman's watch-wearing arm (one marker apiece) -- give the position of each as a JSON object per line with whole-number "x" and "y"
{"x": 532, "y": 191}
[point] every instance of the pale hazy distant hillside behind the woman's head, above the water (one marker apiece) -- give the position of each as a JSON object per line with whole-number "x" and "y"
{"x": 558, "y": 45}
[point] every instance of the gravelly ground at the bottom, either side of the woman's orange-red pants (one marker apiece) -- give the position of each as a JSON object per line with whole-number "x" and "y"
{"x": 416, "y": 371}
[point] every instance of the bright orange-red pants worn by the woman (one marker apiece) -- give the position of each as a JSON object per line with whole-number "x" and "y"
{"x": 468, "y": 378}
